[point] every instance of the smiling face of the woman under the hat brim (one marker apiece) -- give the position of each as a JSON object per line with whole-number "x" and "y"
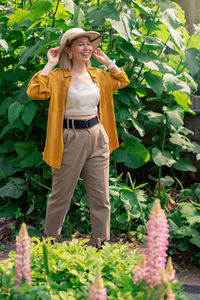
{"x": 81, "y": 49}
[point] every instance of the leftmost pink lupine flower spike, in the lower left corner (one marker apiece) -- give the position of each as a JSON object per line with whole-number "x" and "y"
{"x": 22, "y": 260}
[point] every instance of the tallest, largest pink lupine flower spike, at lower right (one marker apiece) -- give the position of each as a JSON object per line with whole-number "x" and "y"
{"x": 157, "y": 241}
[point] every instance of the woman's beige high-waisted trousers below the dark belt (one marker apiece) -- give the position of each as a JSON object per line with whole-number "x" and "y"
{"x": 86, "y": 153}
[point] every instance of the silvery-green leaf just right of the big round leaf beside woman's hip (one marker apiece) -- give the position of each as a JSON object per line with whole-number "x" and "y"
{"x": 162, "y": 158}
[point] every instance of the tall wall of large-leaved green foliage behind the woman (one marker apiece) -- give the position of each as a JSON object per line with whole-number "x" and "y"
{"x": 151, "y": 42}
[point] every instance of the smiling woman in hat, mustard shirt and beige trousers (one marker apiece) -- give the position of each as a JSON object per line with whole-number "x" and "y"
{"x": 81, "y": 130}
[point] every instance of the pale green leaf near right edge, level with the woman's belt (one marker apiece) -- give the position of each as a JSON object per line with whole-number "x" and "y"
{"x": 175, "y": 117}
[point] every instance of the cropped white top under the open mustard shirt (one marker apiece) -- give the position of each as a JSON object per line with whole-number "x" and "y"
{"x": 82, "y": 99}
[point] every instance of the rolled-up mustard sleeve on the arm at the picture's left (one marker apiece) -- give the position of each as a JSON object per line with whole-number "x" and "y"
{"x": 39, "y": 87}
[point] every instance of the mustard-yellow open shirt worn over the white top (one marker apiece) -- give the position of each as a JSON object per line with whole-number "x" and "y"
{"x": 55, "y": 86}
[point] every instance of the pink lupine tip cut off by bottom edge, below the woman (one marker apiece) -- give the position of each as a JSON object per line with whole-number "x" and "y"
{"x": 97, "y": 289}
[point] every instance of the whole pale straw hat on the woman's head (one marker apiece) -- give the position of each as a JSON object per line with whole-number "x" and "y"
{"x": 71, "y": 34}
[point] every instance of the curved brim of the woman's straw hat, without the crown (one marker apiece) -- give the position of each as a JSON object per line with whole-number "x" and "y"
{"x": 95, "y": 39}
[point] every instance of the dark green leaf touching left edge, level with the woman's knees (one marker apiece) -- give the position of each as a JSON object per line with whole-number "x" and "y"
{"x": 14, "y": 188}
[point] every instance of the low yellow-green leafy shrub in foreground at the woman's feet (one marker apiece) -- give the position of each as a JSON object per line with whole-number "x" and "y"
{"x": 72, "y": 268}
